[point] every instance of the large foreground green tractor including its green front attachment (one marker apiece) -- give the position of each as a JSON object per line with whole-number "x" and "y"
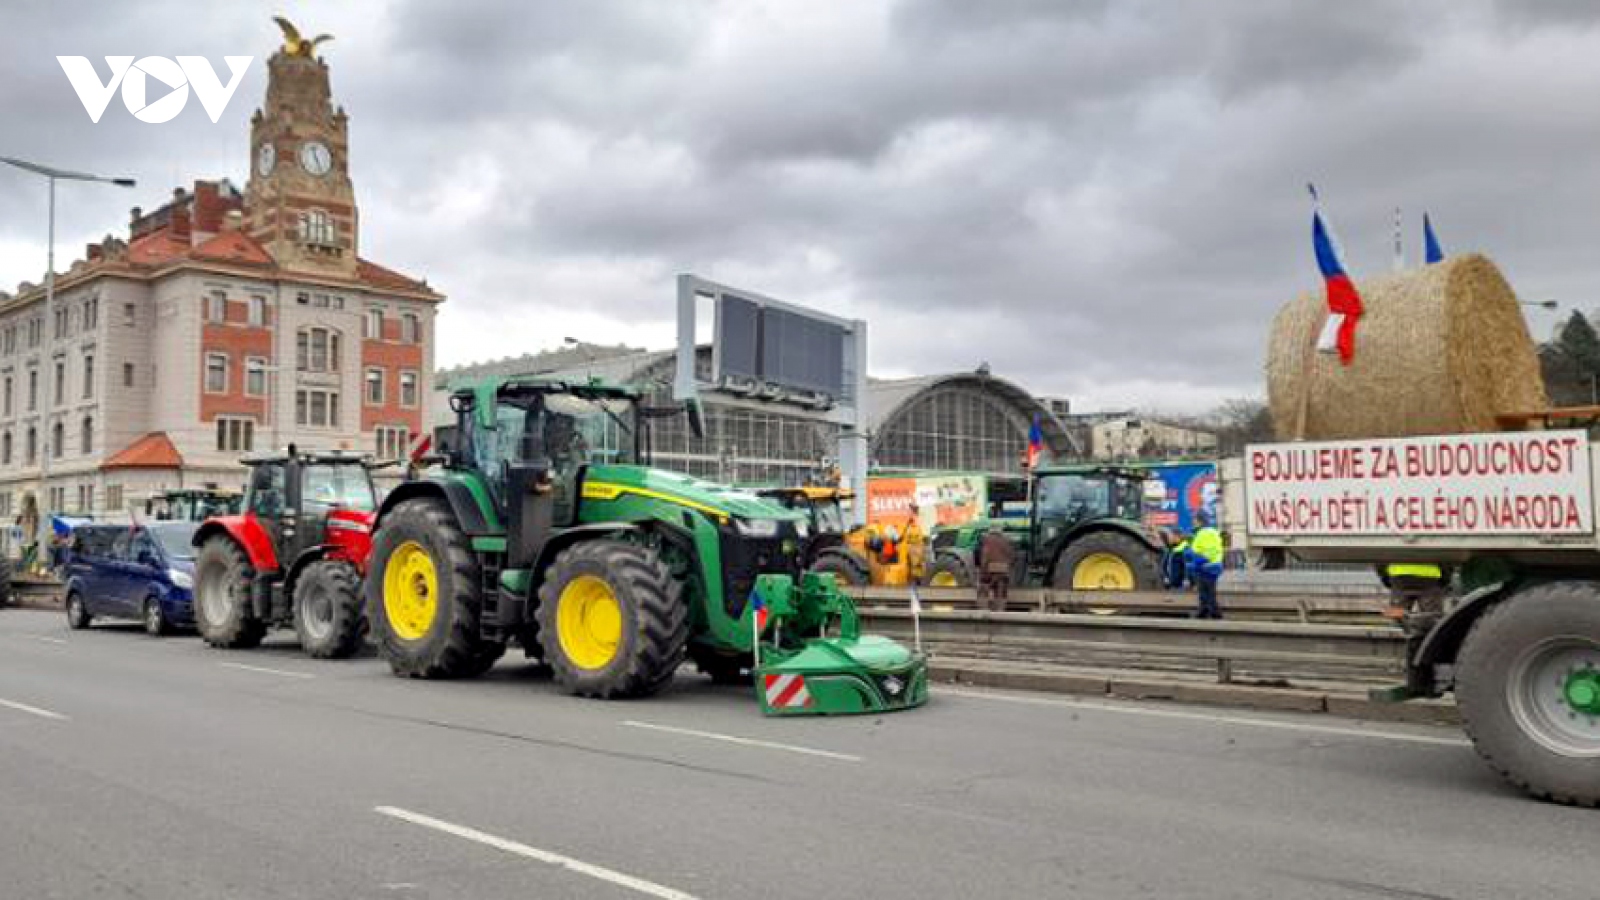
{"x": 540, "y": 526}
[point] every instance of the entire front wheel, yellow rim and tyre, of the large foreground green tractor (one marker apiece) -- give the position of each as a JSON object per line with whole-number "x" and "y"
{"x": 612, "y": 621}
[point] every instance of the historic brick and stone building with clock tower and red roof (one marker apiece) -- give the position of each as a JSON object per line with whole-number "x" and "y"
{"x": 228, "y": 323}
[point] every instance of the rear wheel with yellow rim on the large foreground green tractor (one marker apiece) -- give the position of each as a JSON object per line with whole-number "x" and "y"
{"x": 425, "y": 593}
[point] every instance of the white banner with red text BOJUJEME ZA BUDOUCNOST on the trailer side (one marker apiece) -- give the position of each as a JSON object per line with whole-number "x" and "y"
{"x": 1530, "y": 483}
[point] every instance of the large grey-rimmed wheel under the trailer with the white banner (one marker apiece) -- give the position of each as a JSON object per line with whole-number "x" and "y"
{"x": 1497, "y": 677}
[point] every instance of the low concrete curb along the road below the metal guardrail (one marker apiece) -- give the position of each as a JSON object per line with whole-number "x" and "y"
{"x": 1122, "y": 686}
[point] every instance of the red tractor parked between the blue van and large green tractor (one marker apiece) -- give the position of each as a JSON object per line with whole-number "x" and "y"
{"x": 294, "y": 558}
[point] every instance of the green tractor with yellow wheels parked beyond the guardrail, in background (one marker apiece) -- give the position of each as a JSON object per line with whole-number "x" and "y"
{"x": 1082, "y": 532}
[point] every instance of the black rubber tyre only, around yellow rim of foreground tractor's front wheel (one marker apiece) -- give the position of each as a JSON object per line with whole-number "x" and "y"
{"x": 655, "y": 621}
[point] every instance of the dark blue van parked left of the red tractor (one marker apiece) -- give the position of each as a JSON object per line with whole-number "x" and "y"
{"x": 137, "y": 573}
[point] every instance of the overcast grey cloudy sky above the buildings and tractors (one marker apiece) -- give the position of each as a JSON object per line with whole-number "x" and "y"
{"x": 1102, "y": 199}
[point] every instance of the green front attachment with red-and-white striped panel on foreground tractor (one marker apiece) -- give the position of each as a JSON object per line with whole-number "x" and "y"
{"x": 830, "y": 675}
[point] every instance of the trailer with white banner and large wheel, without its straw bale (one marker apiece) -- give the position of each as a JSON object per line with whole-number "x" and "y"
{"x": 1510, "y": 518}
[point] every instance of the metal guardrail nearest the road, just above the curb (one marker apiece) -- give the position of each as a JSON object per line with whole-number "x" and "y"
{"x": 1265, "y": 649}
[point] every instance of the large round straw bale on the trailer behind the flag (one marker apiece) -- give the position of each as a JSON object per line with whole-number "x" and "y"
{"x": 1439, "y": 350}
